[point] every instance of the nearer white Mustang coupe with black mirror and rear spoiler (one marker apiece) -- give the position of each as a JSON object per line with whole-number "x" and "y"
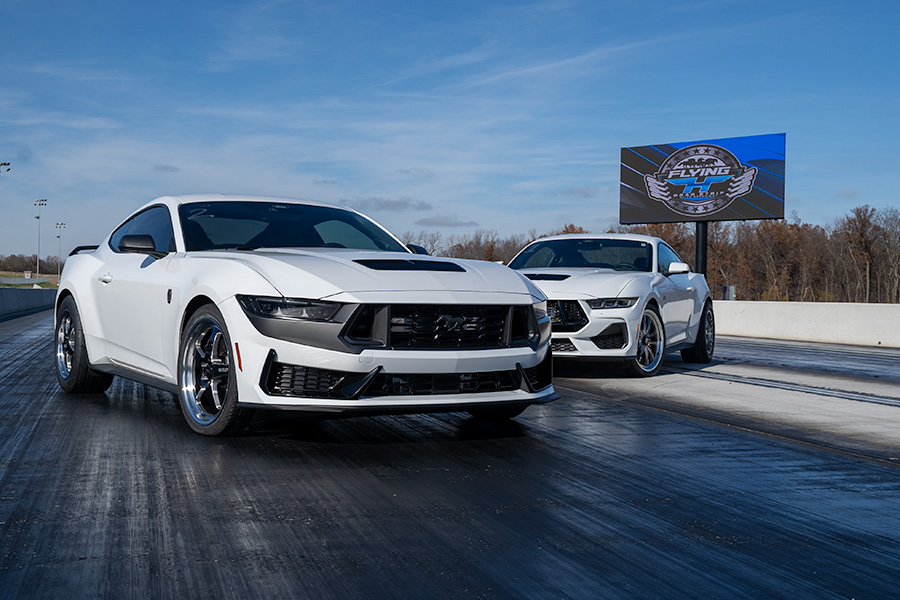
{"x": 239, "y": 303}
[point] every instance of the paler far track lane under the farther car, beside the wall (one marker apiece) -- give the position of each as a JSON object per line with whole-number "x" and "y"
{"x": 844, "y": 409}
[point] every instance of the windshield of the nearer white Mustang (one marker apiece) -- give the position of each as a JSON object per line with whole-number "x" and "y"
{"x": 249, "y": 225}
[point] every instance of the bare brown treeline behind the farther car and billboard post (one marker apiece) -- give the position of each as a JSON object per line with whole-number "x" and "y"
{"x": 855, "y": 259}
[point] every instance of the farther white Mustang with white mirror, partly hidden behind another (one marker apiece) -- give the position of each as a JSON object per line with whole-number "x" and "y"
{"x": 621, "y": 297}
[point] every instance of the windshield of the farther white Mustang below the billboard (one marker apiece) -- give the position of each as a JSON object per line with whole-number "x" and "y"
{"x": 620, "y": 255}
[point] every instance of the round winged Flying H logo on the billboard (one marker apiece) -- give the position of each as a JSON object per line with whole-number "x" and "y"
{"x": 700, "y": 180}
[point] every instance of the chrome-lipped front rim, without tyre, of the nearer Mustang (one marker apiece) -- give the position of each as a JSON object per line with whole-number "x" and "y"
{"x": 205, "y": 372}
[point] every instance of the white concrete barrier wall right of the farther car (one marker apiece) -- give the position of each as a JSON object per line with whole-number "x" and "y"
{"x": 832, "y": 322}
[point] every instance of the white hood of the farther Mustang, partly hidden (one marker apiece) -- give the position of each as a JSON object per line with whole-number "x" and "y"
{"x": 583, "y": 283}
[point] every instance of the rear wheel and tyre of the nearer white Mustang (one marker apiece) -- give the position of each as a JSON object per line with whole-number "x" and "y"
{"x": 73, "y": 371}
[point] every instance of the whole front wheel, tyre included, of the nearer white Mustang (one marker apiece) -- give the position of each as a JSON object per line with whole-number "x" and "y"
{"x": 207, "y": 385}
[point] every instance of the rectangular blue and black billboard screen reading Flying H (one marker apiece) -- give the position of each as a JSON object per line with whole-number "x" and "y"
{"x": 731, "y": 179}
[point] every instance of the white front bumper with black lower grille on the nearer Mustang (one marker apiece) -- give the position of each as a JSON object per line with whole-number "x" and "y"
{"x": 280, "y": 374}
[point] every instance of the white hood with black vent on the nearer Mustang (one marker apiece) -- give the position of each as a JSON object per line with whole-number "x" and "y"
{"x": 351, "y": 275}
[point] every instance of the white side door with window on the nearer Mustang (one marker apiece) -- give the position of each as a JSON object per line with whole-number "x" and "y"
{"x": 131, "y": 293}
